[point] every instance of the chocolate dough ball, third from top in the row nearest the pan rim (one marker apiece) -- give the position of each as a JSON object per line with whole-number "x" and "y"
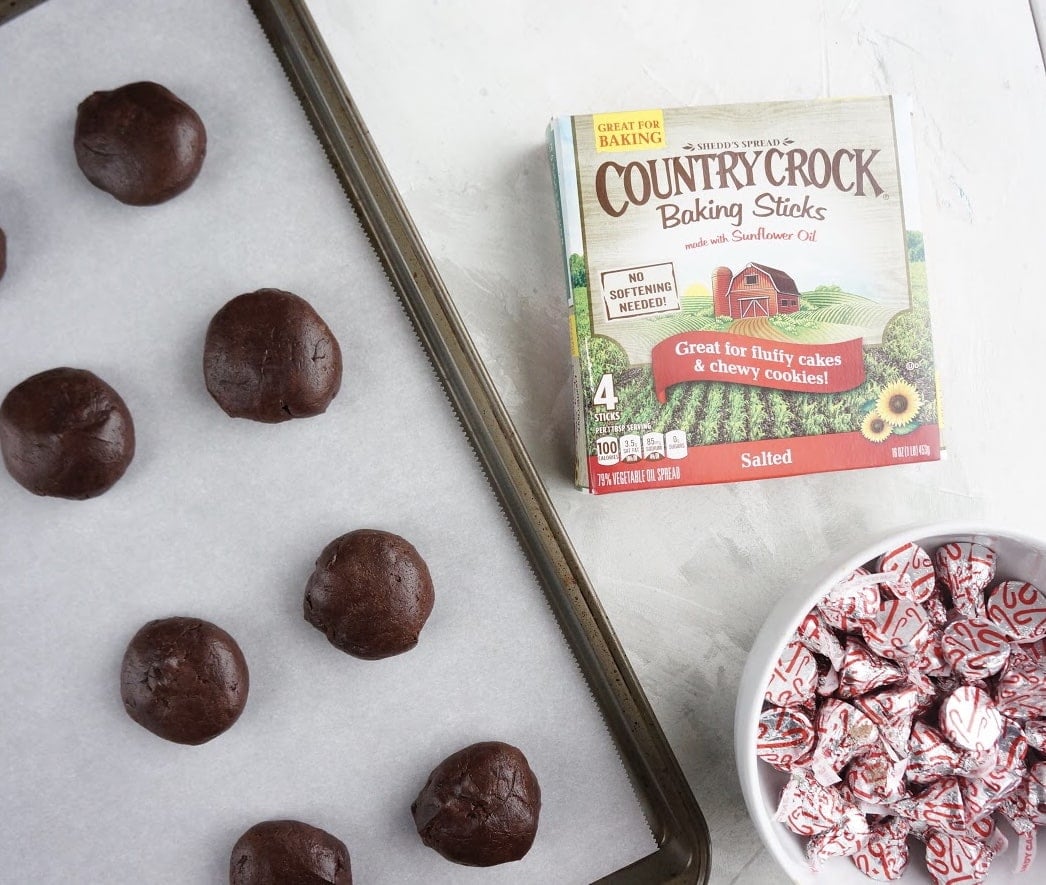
{"x": 371, "y": 595}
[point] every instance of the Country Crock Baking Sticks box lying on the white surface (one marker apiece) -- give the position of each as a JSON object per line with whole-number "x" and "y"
{"x": 747, "y": 289}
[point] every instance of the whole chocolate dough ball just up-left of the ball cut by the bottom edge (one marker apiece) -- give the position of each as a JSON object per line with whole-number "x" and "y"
{"x": 185, "y": 679}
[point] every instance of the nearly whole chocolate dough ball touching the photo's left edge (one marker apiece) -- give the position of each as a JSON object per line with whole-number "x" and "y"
{"x": 66, "y": 434}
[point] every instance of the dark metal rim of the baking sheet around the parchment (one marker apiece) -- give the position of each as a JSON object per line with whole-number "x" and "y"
{"x": 675, "y": 819}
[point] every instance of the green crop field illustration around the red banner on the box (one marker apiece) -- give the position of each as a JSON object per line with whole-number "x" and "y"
{"x": 898, "y": 351}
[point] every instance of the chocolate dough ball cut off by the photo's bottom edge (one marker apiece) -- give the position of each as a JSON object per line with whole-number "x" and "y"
{"x": 289, "y": 853}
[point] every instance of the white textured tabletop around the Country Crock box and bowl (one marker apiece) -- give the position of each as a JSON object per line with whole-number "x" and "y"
{"x": 458, "y": 98}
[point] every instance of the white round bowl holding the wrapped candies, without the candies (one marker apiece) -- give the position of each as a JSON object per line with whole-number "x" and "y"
{"x": 1019, "y": 557}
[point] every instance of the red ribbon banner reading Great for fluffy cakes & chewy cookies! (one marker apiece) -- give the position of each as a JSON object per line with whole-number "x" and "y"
{"x": 739, "y": 359}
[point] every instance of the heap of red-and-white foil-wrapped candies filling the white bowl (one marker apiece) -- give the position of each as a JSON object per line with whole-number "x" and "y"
{"x": 909, "y": 641}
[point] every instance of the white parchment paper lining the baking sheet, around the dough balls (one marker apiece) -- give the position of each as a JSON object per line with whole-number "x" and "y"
{"x": 222, "y": 519}
